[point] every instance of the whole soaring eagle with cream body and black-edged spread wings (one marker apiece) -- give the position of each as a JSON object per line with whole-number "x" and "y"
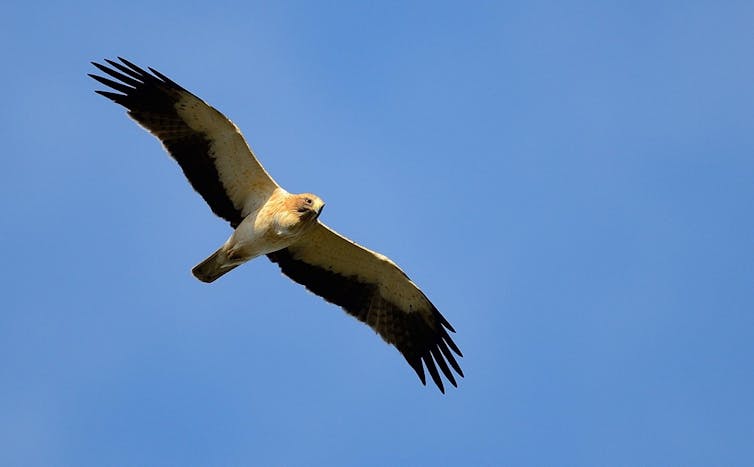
{"x": 285, "y": 227}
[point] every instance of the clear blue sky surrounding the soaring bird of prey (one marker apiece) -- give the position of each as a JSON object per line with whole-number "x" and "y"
{"x": 572, "y": 183}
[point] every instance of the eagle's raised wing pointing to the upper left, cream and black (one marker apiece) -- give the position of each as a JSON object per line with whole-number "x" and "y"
{"x": 209, "y": 148}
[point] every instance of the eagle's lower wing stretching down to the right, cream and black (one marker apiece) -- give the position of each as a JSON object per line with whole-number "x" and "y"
{"x": 370, "y": 287}
